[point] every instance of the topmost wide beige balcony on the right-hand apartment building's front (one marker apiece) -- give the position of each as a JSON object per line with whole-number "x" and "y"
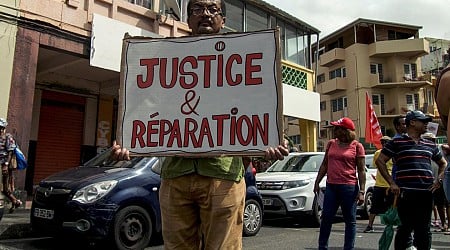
{"x": 405, "y": 47}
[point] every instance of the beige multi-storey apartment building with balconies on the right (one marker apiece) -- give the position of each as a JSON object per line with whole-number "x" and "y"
{"x": 377, "y": 57}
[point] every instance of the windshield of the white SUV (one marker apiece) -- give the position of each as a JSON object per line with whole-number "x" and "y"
{"x": 298, "y": 163}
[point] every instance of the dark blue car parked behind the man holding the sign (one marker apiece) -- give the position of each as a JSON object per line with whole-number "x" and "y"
{"x": 116, "y": 201}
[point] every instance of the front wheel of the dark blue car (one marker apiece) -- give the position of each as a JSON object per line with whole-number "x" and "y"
{"x": 132, "y": 228}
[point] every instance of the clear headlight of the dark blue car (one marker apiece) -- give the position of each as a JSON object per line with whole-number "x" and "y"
{"x": 94, "y": 191}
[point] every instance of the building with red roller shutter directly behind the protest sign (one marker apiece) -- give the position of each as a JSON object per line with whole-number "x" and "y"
{"x": 60, "y": 71}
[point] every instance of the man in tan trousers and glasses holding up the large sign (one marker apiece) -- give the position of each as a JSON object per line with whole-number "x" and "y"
{"x": 202, "y": 199}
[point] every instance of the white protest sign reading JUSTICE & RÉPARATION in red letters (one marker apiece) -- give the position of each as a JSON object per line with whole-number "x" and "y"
{"x": 202, "y": 96}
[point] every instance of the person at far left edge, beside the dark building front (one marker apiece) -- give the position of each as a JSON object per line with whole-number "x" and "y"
{"x": 7, "y": 146}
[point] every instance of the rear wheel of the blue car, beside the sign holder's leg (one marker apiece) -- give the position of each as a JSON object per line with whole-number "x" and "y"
{"x": 252, "y": 218}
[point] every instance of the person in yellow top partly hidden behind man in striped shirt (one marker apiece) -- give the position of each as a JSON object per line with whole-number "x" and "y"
{"x": 381, "y": 200}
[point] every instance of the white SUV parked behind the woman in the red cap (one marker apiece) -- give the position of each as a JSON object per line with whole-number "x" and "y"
{"x": 287, "y": 185}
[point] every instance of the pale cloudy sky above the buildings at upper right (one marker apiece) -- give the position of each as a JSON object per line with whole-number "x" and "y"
{"x": 331, "y": 15}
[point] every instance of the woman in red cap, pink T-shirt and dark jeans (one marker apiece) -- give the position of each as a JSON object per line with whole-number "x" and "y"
{"x": 344, "y": 166}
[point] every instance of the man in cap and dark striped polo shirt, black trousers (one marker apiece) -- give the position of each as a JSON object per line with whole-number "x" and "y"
{"x": 415, "y": 183}
